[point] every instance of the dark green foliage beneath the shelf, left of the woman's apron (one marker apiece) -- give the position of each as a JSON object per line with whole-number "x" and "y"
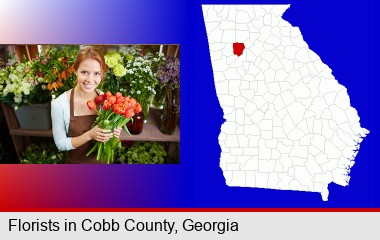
{"x": 46, "y": 152}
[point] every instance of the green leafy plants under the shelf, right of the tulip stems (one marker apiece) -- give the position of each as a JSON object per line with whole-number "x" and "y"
{"x": 142, "y": 153}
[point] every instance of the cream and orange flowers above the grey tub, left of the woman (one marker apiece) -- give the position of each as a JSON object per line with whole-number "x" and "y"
{"x": 37, "y": 81}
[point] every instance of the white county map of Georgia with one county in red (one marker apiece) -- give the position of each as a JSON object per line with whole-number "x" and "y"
{"x": 289, "y": 123}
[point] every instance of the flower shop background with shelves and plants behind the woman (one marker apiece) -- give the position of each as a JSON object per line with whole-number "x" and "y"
{"x": 32, "y": 75}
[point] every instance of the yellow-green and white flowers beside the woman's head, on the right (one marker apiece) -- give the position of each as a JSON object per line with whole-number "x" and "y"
{"x": 133, "y": 73}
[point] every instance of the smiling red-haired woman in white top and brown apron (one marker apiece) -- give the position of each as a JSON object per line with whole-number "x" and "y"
{"x": 71, "y": 118}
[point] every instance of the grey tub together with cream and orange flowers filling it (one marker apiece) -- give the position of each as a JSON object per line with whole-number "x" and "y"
{"x": 29, "y": 86}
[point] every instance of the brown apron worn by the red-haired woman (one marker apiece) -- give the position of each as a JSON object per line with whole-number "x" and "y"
{"x": 77, "y": 126}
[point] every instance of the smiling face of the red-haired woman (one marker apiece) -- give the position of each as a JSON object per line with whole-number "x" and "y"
{"x": 88, "y": 75}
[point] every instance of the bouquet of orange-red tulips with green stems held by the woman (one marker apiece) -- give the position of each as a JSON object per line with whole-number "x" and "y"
{"x": 116, "y": 111}
